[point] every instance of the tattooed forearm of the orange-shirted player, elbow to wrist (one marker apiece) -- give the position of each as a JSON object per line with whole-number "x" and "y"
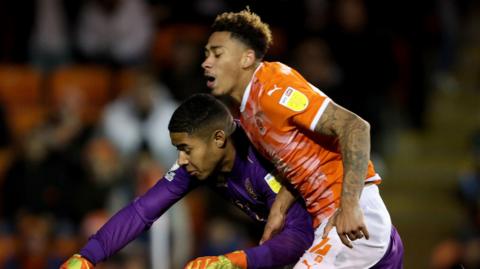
{"x": 355, "y": 146}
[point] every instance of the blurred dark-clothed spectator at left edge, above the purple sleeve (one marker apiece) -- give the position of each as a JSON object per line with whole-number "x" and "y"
{"x": 48, "y": 167}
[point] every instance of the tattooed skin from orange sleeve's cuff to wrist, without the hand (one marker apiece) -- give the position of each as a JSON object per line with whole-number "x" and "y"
{"x": 353, "y": 134}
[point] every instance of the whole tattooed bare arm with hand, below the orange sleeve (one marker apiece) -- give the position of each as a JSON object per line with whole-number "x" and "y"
{"x": 353, "y": 134}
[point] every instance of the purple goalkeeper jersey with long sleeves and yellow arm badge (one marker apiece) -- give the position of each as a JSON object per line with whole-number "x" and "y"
{"x": 249, "y": 186}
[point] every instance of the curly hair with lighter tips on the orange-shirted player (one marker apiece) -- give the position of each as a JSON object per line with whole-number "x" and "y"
{"x": 247, "y": 27}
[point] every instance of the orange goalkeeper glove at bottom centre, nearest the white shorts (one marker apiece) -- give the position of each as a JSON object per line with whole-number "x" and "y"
{"x": 233, "y": 260}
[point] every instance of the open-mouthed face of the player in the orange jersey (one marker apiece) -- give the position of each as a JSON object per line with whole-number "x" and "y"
{"x": 222, "y": 65}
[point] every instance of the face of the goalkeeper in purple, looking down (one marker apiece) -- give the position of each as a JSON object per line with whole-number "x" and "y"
{"x": 200, "y": 156}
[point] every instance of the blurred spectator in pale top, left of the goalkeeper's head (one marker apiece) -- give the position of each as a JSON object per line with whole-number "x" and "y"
{"x": 139, "y": 119}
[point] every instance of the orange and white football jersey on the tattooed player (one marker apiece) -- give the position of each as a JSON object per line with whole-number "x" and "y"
{"x": 279, "y": 112}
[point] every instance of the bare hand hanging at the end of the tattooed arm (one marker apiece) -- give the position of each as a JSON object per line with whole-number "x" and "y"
{"x": 349, "y": 224}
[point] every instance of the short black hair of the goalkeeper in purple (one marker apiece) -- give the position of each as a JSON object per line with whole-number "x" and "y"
{"x": 200, "y": 115}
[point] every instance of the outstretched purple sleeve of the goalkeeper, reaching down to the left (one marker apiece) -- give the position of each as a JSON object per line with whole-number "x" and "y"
{"x": 138, "y": 216}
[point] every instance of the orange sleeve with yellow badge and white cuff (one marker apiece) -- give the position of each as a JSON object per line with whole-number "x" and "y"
{"x": 298, "y": 102}
